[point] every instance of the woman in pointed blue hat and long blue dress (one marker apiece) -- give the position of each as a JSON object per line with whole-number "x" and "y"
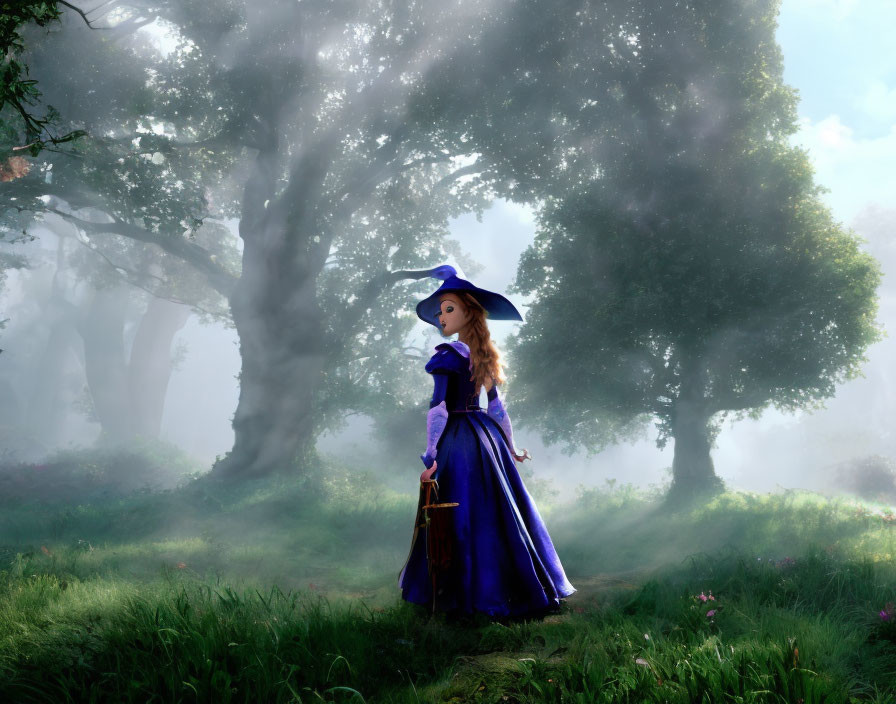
{"x": 502, "y": 561}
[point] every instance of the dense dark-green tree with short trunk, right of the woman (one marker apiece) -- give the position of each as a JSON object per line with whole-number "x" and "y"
{"x": 693, "y": 272}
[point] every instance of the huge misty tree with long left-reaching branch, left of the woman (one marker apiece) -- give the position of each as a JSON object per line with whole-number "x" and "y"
{"x": 344, "y": 191}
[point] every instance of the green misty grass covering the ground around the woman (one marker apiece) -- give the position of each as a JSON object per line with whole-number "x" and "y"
{"x": 284, "y": 591}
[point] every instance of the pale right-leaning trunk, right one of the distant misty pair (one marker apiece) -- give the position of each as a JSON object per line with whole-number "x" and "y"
{"x": 151, "y": 364}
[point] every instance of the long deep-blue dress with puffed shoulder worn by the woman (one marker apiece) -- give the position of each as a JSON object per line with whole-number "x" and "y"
{"x": 503, "y": 561}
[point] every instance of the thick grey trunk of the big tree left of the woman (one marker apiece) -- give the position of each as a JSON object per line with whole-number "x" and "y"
{"x": 276, "y": 313}
